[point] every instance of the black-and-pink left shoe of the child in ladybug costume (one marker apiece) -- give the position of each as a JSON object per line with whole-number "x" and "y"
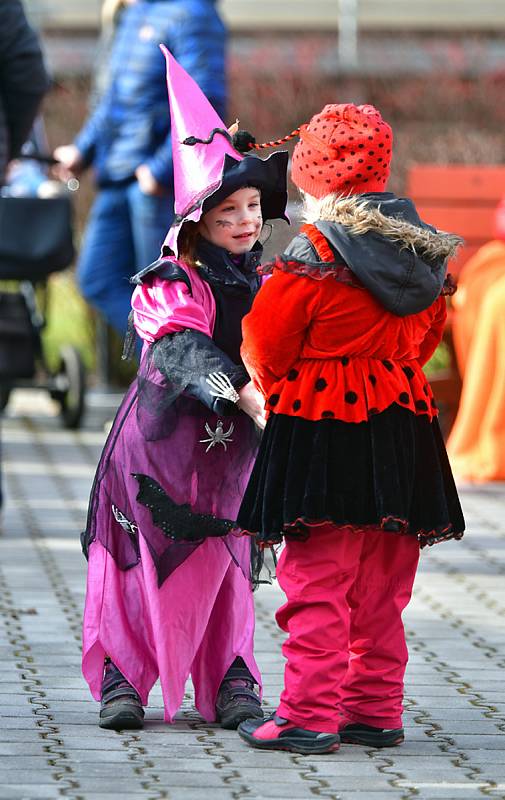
{"x": 279, "y": 734}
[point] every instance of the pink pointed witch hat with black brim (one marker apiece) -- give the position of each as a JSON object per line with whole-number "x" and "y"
{"x": 207, "y": 168}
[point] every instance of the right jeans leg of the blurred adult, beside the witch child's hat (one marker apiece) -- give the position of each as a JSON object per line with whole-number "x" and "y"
{"x": 151, "y": 217}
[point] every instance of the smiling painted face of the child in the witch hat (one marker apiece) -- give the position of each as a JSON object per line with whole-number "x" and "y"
{"x": 234, "y": 224}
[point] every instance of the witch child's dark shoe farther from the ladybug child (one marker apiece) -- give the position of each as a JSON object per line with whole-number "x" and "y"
{"x": 121, "y": 708}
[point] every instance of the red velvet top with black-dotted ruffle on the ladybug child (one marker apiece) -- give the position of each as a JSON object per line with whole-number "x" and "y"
{"x": 322, "y": 349}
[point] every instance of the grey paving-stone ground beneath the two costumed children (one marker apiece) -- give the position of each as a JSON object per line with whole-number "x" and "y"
{"x": 51, "y": 746}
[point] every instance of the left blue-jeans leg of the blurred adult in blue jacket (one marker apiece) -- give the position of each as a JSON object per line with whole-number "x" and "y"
{"x": 107, "y": 260}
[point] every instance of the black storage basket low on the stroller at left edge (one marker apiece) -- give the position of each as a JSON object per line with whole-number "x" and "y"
{"x": 18, "y": 338}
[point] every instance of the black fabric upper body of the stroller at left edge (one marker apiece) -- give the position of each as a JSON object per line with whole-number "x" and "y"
{"x": 35, "y": 236}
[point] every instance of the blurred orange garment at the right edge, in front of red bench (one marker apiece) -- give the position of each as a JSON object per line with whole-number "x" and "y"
{"x": 476, "y": 445}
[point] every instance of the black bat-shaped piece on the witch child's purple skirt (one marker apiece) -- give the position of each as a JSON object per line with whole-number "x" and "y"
{"x": 177, "y": 521}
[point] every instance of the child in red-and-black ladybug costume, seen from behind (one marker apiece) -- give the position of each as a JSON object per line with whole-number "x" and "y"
{"x": 352, "y": 471}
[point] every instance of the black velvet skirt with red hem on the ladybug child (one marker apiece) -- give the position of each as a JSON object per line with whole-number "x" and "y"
{"x": 391, "y": 472}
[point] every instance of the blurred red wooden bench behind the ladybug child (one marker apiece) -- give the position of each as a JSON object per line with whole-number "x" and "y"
{"x": 461, "y": 199}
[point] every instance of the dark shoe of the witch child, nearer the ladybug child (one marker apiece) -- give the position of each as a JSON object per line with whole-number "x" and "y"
{"x": 236, "y": 699}
